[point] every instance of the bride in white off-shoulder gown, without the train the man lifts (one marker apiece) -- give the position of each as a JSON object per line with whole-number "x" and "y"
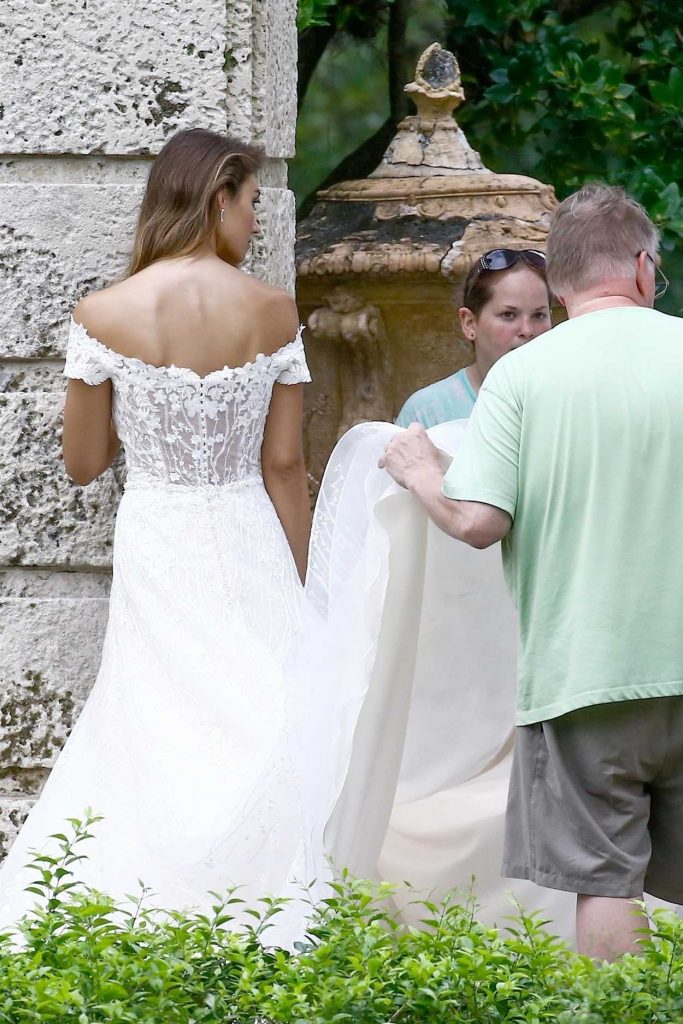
{"x": 185, "y": 745}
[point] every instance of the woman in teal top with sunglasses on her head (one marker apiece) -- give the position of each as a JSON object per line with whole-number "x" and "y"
{"x": 506, "y": 304}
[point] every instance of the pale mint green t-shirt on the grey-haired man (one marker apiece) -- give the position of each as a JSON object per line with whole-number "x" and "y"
{"x": 579, "y": 437}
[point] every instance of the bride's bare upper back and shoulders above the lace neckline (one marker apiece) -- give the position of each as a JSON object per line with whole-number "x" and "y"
{"x": 198, "y": 313}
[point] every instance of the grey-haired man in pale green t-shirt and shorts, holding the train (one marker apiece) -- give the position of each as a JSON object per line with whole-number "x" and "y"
{"x": 573, "y": 460}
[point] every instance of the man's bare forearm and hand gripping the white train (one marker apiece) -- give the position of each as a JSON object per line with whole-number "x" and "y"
{"x": 413, "y": 461}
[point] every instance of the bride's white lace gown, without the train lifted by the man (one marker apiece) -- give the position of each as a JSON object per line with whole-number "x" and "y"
{"x": 185, "y": 745}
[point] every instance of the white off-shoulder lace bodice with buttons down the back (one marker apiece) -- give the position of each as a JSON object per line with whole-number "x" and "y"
{"x": 180, "y": 429}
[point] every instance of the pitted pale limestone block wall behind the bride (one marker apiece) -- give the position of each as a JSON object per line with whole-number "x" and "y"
{"x": 90, "y": 92}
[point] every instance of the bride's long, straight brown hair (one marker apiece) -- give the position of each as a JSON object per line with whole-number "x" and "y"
{"x": 179, "y": 210}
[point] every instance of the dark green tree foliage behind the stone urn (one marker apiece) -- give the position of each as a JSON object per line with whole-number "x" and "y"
{"x": 564, "y": 91}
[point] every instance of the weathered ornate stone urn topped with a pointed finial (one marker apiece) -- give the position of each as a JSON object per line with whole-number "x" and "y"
{"x": 381, "y": 262}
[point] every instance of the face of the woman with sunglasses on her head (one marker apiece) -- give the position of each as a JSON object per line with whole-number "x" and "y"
{"x": 518, "y": 312}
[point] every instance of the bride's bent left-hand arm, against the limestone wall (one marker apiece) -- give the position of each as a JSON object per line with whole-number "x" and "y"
{"x": 90, "y": 443}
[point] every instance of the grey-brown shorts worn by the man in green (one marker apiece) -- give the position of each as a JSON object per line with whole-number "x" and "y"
{"x": 595, "y": 804}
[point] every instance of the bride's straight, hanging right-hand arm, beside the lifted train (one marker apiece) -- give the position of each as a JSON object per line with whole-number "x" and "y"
{"x": 285, "y": 472}
